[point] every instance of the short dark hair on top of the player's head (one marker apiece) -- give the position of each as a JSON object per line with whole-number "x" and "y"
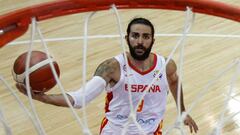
{"x": 140, "y": 20}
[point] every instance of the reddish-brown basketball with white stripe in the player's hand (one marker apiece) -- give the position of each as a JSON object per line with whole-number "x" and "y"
{"x": 40, "y": 74}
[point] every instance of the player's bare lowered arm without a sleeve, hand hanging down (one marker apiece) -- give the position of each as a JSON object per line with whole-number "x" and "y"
{"x": 172, "y": 77}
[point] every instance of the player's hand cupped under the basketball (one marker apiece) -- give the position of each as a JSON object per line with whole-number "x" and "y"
{"x": 35, "y": 95}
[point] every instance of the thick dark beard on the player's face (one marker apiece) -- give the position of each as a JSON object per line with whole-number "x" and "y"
{"x": 136, "y": 56}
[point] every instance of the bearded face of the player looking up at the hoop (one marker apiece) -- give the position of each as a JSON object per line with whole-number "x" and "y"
{"x": 140, "y": 41}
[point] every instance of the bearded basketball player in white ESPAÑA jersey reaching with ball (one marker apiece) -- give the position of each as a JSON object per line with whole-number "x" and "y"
{"x": 112, "y": 76}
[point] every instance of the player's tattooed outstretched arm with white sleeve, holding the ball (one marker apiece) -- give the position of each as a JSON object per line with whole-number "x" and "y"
{"x": 103, "y": 75}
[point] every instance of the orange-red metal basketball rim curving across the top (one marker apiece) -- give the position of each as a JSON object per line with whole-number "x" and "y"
{"x": 16, "y": 23}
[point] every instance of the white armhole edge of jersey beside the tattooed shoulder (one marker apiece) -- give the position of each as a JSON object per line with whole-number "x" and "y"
{"x": 119, "y": 59}
